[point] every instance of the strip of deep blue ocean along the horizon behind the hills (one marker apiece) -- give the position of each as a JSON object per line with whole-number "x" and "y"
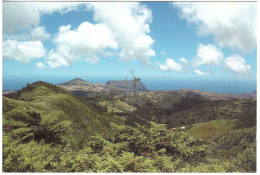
{"x": 217, "y": 86}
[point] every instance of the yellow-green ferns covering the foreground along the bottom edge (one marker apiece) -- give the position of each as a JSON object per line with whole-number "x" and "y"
{"x": 127, "y": 149}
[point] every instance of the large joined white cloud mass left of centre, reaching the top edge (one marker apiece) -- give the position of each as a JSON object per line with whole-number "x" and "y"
{"x": 121, "y": 28}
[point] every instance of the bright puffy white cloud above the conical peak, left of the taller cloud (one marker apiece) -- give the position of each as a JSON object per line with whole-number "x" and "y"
{"x": 87, "y": 39}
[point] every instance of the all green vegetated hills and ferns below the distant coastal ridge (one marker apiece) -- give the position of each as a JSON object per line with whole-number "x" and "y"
{"x": 46, "y": 129}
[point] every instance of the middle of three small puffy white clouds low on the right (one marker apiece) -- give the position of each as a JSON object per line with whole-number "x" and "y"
{"x": 208, "y": 55}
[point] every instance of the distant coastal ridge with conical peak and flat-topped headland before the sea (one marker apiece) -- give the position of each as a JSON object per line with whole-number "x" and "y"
{"x": 83, "y": 89}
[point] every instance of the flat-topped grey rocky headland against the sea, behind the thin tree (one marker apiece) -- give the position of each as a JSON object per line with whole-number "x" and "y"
{"x": 128, "y": 85}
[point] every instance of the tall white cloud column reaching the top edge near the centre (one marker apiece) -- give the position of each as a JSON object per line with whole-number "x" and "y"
{"x": 129, "y": 22}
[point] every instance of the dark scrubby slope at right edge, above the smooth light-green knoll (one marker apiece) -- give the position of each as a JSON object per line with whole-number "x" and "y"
{"x": 242, "y": 109}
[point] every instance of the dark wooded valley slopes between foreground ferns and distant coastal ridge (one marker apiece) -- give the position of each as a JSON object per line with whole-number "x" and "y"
{"x": 174, "y": 107}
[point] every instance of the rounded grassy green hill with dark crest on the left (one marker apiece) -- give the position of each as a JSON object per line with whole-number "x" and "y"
{"x": 49, "y": 100}
